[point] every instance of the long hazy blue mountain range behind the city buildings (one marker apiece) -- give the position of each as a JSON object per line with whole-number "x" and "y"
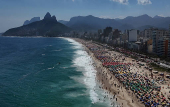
{"x": 86, "y": 23}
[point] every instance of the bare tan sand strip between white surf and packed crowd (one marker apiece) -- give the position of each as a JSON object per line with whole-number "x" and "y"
{"x": 110, "y": 84}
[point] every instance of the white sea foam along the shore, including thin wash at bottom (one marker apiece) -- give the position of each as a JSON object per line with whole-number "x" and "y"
{"x": 84, "y": 62}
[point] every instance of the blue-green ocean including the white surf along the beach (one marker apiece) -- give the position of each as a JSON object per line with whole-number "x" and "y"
{"x": 47, "y": 72}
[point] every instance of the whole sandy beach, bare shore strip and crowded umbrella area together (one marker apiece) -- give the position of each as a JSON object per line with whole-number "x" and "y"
{"x": 125, "y": 80}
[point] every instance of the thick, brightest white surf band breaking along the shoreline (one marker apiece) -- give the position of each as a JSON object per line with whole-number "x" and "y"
{"x": 84, "y": 61}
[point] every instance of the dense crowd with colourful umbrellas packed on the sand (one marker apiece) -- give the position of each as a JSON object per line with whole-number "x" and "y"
{"x": 144, "y": 87}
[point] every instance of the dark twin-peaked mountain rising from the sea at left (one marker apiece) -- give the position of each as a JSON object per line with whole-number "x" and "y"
{"x": 46, "y": 27}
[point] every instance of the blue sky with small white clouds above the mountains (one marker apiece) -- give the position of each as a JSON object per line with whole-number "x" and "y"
{"x": 13, "y": 13}
